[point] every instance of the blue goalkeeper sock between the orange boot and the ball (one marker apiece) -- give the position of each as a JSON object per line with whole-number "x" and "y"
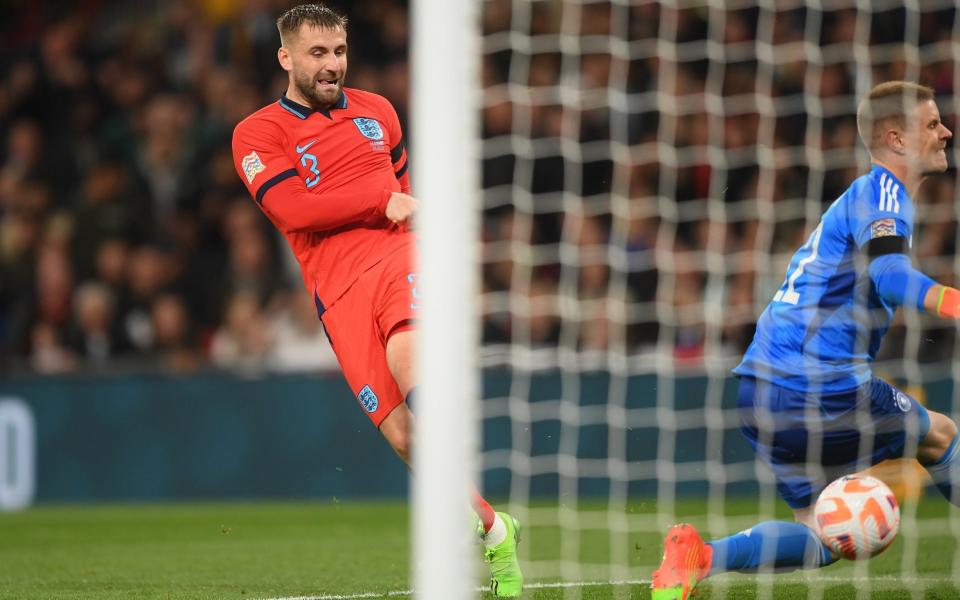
{"x": 771, "y": 544}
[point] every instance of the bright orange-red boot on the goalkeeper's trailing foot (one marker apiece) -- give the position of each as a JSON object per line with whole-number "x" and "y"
{"x": 686, "y": 561}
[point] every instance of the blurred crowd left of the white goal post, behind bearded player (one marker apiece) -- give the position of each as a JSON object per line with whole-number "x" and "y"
{"x": 126, "y": 237}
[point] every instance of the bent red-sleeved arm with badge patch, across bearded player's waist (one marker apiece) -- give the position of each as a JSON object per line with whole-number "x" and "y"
{"x": 272, "y": 179}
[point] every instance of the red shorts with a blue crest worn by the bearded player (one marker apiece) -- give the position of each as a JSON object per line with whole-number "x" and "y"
{"x": 381, "y": 302}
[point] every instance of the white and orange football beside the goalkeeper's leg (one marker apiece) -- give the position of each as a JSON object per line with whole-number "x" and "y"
{"x": 858, "y": 516}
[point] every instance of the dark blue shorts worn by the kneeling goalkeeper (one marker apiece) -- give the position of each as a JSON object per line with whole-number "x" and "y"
{"x": 810, "y": 439}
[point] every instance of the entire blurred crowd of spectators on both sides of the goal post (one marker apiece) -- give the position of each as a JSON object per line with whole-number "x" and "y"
{"x": 633, "y": 198}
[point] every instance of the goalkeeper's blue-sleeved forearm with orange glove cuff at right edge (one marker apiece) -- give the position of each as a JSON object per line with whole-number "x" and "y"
{"x": 898, "y": 283}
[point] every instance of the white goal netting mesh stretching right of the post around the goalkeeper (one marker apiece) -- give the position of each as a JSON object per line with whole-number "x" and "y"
{"x": 648, "y": 170}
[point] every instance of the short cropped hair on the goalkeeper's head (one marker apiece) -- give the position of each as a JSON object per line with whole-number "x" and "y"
{"x": 886, "y": 102}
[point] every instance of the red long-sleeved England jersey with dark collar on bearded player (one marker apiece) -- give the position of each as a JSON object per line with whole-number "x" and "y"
{"x": 323, "y": 177}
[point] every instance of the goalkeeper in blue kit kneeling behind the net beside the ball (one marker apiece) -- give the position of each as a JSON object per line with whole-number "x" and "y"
{"x": 808, "y": 402}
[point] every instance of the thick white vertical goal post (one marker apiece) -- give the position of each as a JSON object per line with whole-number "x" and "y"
{"x": 444, "y": 154}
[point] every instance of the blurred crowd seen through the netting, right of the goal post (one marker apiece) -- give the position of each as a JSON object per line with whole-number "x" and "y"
{"x": 649, "y": 170}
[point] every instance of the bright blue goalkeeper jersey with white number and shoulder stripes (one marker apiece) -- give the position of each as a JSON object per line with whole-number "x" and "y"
{"x": 823, "y": 328}
